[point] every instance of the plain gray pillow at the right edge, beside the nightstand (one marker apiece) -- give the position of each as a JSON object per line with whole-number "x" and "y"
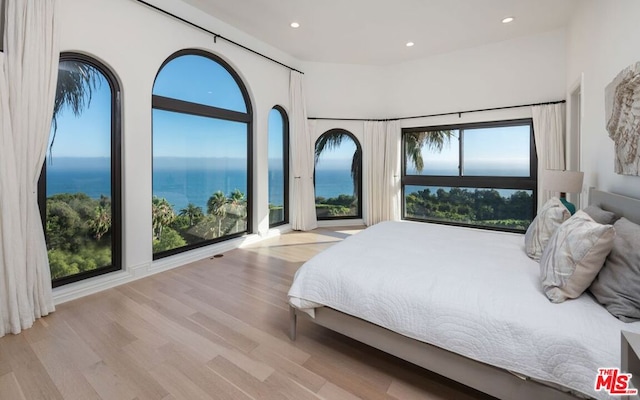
{"x": 617, "y": 286}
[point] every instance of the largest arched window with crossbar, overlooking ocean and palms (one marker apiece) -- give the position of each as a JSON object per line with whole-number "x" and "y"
{"x": 201, "y": 153}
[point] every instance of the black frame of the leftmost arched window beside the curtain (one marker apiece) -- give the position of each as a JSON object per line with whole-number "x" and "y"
{"x": 116, "y": 173}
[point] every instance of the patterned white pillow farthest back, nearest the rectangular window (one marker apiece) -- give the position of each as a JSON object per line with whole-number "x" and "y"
{"x": 552, "y": 214}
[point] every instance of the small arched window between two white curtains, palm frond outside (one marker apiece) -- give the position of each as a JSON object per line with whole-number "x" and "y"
{"x": 338, "y": 175}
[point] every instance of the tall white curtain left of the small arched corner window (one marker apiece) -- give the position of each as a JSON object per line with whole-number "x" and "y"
{"x": 303, "y": 212}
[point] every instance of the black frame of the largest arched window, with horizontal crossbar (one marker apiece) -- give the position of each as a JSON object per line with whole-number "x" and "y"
{"x": 202, "y": 110}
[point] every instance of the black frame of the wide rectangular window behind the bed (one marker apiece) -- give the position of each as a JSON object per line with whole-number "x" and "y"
{"x": 461, "y": 181}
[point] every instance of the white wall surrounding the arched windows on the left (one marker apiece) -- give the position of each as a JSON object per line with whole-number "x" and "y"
{"x": 134, "y": 40}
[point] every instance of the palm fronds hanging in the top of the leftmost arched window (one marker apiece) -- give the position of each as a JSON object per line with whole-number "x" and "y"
{"x": 76, "y": 83}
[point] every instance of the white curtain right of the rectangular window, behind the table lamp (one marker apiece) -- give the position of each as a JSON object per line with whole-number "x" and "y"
{"x": 548, "y": 129}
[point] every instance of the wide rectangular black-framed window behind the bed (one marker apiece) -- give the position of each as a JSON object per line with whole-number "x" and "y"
{"x": 474, "y": 175}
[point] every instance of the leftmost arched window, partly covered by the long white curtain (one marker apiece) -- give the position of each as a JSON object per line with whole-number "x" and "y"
{"x": 80, "y": 183}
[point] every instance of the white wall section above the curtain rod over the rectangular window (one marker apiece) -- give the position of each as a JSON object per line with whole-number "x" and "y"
{"x": 519, "y": 71}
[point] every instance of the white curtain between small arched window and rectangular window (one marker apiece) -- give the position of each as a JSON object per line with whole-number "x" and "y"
{"x": 381, "y": 171}
